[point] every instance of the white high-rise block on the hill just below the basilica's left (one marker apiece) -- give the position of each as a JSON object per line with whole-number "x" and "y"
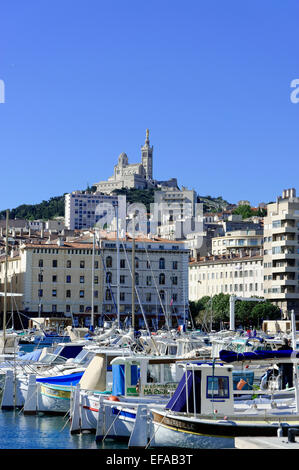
{"x": 84, "y": 210}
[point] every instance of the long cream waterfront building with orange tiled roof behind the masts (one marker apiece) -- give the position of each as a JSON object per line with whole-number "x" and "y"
{"x": 56, "y": 278}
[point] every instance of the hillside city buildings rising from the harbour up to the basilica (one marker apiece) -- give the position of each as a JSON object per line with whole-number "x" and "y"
{"x": 184, "y": 246}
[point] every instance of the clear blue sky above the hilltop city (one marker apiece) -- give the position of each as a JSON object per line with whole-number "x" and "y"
{"x": 209, "y": 78}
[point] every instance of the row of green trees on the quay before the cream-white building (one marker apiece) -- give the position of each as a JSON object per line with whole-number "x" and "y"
{"x": 215, "y": 309}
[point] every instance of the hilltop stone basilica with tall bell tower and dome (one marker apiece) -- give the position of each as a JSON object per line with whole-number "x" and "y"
{"x": 134, "y": 175}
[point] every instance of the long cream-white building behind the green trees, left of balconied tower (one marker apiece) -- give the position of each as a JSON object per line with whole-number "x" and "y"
{"x": 238, "y": 275}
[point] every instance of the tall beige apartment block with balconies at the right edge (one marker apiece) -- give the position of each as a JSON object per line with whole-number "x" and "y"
{"x": 281, "y": 252}
